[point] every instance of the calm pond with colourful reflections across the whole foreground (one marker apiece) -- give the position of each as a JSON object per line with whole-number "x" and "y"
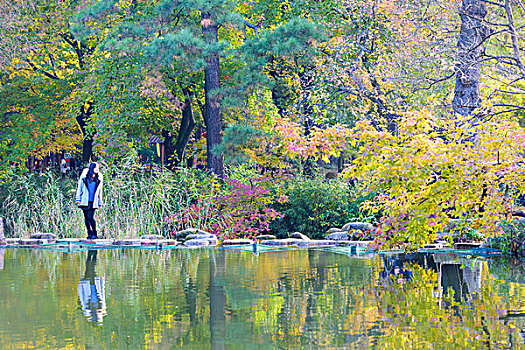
{"x": 289, "y": 299}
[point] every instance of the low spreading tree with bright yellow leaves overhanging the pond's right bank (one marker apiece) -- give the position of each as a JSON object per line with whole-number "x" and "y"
{"x": 431, "y": 171}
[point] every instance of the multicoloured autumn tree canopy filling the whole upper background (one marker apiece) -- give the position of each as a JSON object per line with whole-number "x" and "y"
{"x": 425, "y": 97}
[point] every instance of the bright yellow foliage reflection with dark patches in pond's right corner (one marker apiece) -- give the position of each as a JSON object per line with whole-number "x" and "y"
{"x": 440, "y": 301}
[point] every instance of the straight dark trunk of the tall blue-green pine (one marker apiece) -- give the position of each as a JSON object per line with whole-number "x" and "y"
{"x": 212, "y": 97}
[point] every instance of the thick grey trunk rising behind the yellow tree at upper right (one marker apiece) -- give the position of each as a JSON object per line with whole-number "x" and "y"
{"x": 470, "y": 50}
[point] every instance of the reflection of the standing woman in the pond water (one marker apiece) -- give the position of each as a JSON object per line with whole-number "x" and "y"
{"x": 91, "y": 291}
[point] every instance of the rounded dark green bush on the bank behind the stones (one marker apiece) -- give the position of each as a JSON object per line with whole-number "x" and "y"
{"x": 315, "y": 205}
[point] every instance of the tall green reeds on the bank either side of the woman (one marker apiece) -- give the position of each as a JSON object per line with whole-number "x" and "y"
{"x": 134, "y": 203}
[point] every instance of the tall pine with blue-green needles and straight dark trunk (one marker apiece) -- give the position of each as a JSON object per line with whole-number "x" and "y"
{"x": 188, "y": 33}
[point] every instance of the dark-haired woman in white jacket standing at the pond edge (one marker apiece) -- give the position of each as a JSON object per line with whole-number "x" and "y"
{"x": 89, "y": 196}
